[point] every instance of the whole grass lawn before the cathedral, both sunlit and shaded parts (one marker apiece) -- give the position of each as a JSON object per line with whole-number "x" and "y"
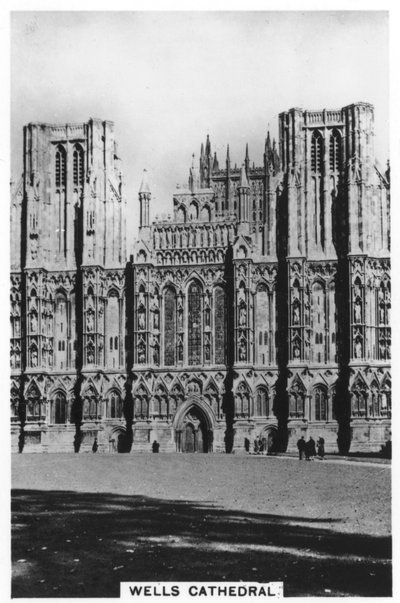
{"x": 84, "y": 523}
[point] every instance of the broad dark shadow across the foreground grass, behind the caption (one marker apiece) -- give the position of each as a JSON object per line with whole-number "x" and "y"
{"x": 71, "y": 544}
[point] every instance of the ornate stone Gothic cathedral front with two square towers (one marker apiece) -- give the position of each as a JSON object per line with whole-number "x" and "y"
{"x": 259, "y": 307}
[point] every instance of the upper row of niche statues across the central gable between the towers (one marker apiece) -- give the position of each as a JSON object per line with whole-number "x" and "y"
{"x": 200, "y": 236}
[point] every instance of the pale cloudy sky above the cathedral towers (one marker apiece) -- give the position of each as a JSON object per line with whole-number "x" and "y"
{"x": 169, "y": 79}
